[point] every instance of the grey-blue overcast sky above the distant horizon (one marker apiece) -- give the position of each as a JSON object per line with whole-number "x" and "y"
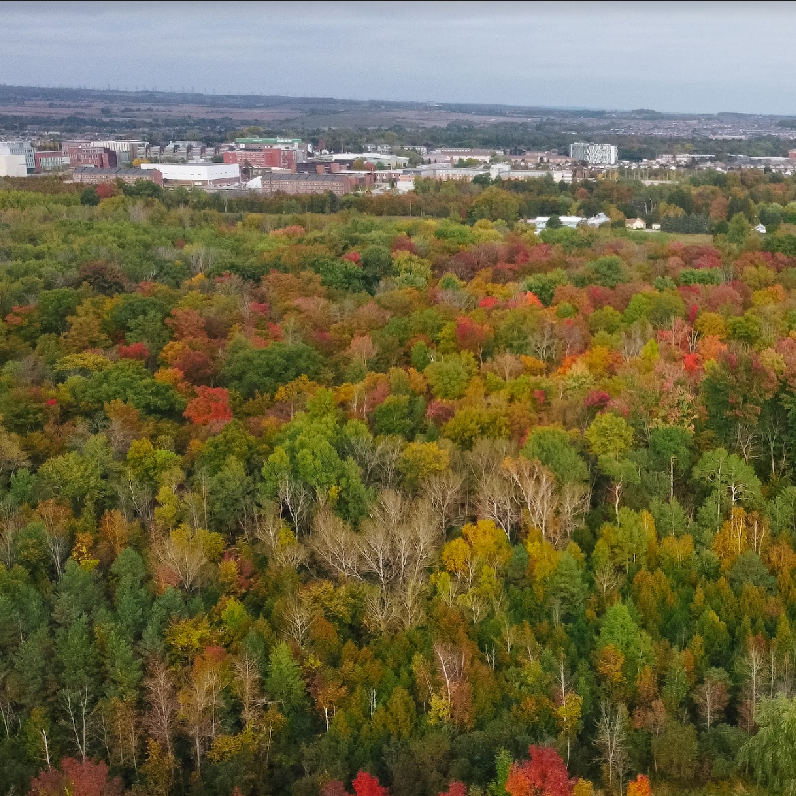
{"x": 667, "y": 56}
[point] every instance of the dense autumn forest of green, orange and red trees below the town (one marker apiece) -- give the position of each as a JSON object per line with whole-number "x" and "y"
{"x": 315, "y": 503}
